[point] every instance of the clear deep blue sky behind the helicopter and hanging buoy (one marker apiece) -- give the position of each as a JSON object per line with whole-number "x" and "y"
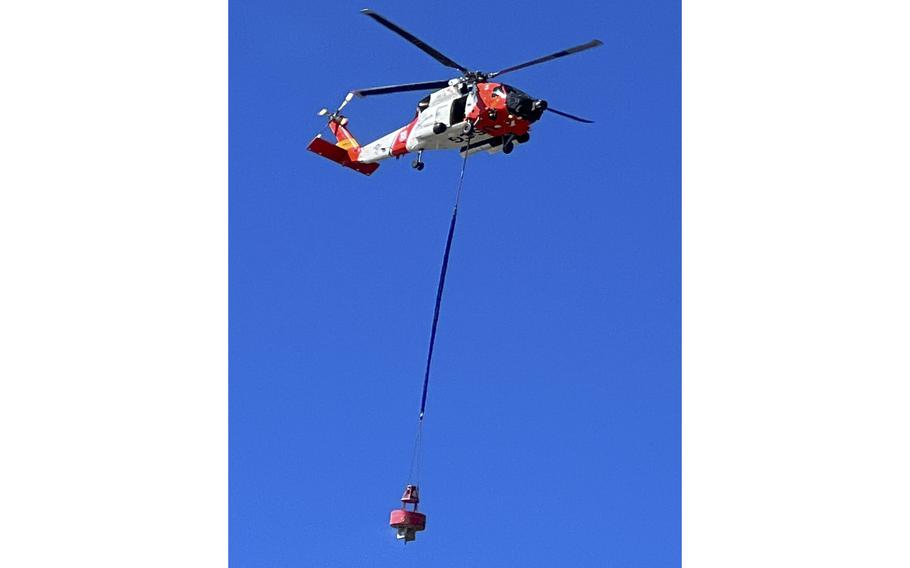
{"x": 552, "y": 433}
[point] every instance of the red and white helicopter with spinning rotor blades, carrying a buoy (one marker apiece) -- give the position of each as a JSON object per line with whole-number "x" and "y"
{"x": 469, "y": 112}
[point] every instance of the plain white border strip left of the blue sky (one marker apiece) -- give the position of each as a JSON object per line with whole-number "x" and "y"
{"x": 113, "y": 299}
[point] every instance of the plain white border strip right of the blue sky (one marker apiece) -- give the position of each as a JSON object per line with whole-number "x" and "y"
{"x": 796, "y": 283}
